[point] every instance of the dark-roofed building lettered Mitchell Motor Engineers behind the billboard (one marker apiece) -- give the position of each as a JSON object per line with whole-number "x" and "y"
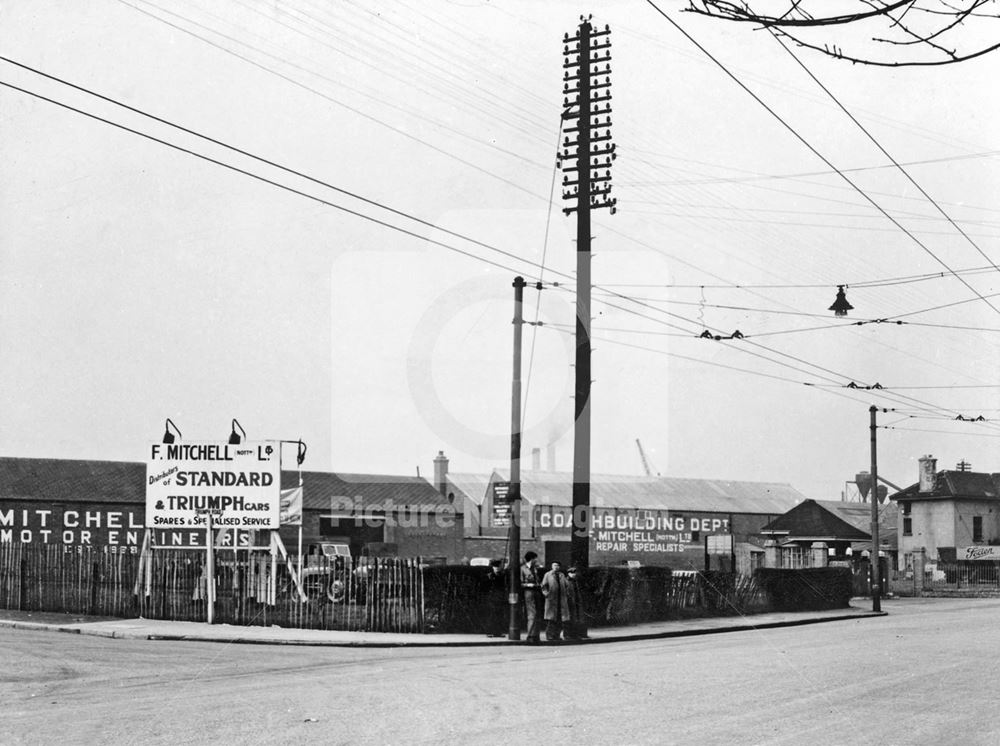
{"x": 101, "y": 504}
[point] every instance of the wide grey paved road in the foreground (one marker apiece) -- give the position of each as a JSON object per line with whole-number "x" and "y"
{"x": 925, "y": 674}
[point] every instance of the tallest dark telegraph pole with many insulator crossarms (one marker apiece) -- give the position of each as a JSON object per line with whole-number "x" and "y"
{"x": 585, "y": 144}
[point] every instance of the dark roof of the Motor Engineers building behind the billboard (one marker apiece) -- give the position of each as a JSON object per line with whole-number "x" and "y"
{"x": 65, "y": 480}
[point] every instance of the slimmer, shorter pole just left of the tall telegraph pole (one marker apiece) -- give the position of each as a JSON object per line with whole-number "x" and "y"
{"x": 513, "y": 577}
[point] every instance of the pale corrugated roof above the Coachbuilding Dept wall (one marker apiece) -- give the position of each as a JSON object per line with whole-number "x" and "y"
{"x": 660, "y": 493}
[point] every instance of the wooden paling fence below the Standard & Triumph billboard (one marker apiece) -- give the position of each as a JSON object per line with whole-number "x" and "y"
{"x": 379, "y": 595}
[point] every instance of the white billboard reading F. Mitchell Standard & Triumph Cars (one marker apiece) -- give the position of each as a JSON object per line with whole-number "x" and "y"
{"x": 238, "y": 485}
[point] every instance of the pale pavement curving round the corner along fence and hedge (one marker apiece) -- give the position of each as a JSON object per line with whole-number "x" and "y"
{"x": 155, "y": 629}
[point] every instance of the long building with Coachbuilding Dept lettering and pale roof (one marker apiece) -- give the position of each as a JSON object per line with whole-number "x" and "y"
{"x": 650, "y": 520}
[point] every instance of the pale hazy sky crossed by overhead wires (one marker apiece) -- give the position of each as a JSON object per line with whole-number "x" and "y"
{"x": 333, "y": 260}
